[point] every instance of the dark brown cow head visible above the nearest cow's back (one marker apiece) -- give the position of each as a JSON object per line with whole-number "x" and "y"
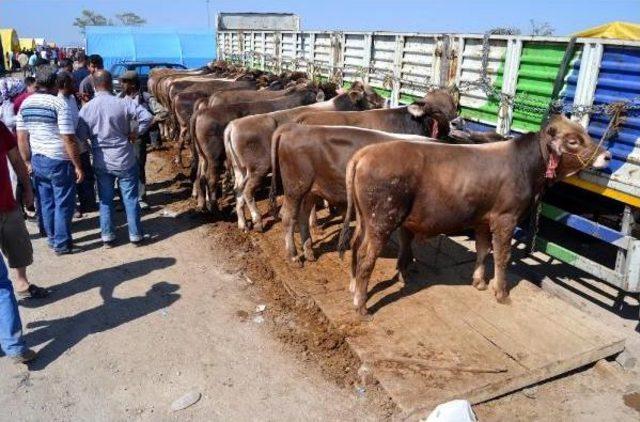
{"x": 437, "y": 110}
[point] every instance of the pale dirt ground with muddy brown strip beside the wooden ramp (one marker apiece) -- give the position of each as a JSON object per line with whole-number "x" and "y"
{"x": 200, "y": 309}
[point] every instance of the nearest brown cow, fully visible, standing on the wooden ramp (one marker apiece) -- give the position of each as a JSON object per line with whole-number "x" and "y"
{"x": 427, "y": 189}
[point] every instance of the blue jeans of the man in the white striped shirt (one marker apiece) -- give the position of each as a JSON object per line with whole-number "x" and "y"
{"x": 55, "y": 182}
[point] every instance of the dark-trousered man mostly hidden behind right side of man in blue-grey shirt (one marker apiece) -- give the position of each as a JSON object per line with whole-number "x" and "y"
{"x": 131, "y": 89}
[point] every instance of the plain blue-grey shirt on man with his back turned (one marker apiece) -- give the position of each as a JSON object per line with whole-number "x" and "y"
{"x": 106, "y": 121}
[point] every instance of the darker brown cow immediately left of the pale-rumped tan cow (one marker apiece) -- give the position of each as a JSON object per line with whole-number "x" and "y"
{"x": 208, "y": 129}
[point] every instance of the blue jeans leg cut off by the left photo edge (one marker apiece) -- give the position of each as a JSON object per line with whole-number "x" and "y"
{"x": 11, "y": 340}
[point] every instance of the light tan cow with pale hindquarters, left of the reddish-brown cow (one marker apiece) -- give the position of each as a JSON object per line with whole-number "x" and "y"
{"x": 247, "y": 143}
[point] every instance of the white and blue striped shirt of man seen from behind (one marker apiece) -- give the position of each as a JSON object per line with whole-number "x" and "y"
{"x": 46, "y": 117}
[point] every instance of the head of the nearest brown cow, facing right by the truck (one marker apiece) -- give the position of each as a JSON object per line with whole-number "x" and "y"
{"x": 569, "y": 148}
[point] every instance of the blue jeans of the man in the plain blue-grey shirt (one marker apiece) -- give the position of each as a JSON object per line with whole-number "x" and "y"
{"x": 128, "y": 182}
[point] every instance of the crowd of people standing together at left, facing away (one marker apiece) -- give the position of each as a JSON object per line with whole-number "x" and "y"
{"x": 65, "y": 136}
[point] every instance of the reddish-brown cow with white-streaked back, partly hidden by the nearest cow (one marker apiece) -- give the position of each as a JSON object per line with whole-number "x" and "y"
{"x": 312, "y": 163}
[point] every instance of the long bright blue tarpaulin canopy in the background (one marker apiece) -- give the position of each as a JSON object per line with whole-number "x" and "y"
{"x": 190, "y": 47}
